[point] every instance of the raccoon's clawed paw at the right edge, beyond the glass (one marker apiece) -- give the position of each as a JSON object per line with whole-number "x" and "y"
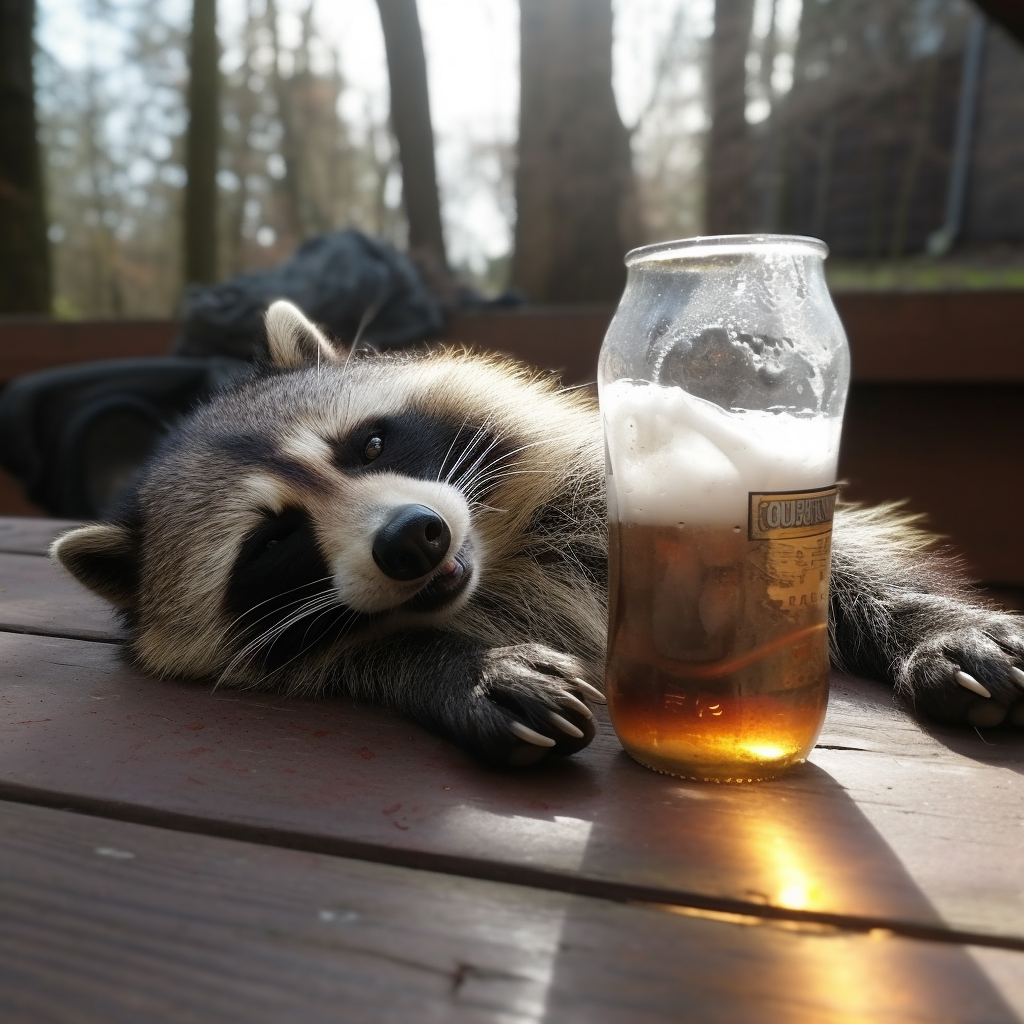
{"x": 970, "y": 675}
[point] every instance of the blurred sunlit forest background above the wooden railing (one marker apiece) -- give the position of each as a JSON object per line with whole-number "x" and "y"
{"x": 148, "y": 144}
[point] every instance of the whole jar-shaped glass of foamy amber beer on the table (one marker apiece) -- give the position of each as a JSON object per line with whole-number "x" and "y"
{"x": 722, "y": 381}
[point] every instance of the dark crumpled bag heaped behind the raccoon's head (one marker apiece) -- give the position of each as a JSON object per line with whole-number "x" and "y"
{"x": 75, "y": 437}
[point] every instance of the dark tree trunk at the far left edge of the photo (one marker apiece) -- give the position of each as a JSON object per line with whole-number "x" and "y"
{"x": 25, "y": 257}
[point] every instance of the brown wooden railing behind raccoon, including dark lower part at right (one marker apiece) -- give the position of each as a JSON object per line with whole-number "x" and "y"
{"x": 935, "y": 416}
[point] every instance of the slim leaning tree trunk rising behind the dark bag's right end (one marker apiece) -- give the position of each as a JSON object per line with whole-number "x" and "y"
{"x": 412, "y": 126}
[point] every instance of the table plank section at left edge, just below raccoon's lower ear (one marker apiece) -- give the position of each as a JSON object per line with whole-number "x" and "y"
{"x": 37, "y": 596}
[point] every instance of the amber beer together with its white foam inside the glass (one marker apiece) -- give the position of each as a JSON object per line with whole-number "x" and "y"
{"x": 718, "y": 646}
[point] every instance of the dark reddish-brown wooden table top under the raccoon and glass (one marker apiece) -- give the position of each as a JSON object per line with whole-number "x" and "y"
{"x": 168, "y": 854}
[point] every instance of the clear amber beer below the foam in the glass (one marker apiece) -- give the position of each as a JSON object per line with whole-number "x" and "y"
{"x": 718, "y": 650}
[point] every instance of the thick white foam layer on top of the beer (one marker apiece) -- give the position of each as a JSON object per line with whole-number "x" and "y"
{"x": 678, "y": 459}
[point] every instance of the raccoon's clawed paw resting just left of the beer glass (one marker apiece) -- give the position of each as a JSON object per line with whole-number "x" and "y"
{"x": 529, "y": 705}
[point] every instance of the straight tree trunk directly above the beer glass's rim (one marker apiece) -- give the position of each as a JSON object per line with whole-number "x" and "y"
{"x": 729, "y": 147}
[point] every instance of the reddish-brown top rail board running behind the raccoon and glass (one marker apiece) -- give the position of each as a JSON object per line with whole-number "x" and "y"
{"x": 895, "y": 336}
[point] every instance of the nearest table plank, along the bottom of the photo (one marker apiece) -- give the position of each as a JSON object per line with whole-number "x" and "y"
{"x": 108, "y": 922}
